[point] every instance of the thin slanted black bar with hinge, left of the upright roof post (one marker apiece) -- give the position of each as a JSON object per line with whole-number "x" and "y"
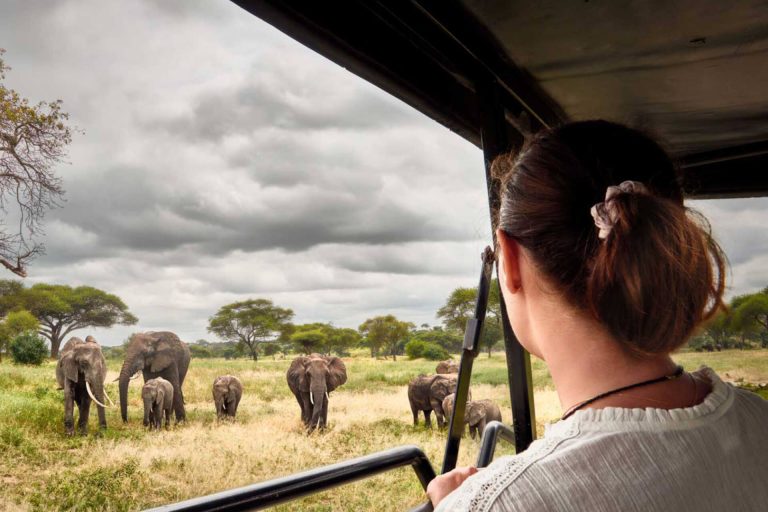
{"x": 469, "y": 351}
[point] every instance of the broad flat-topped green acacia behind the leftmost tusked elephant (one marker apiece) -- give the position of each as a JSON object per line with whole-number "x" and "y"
{"x": 62, "y": 309}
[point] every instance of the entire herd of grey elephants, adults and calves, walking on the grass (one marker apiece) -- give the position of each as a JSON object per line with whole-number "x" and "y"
{"x": 163, "y": 360}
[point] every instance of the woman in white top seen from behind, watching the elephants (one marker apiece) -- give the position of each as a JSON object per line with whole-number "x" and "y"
{"x": 604, "y": 273}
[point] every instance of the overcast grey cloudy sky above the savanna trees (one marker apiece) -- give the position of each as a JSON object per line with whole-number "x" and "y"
{"x": 221, "y": 160}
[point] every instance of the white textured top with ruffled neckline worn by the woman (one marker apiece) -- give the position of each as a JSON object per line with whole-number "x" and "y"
{"x": 710, "y": 457}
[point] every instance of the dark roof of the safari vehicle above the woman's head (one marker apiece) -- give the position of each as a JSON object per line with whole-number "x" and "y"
{"x": 694, "y": 72}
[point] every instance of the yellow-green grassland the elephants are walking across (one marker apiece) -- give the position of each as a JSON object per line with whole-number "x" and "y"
{"x": 128, "y": 468}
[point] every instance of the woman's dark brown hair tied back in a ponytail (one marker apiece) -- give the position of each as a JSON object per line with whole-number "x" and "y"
{"x": 657, "y": 275}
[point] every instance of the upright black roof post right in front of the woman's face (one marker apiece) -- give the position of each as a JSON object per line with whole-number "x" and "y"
{"x": 498, "y": 139}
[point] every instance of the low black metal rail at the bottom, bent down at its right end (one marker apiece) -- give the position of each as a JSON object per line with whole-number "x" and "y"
{"x": 280, "y": 490}
